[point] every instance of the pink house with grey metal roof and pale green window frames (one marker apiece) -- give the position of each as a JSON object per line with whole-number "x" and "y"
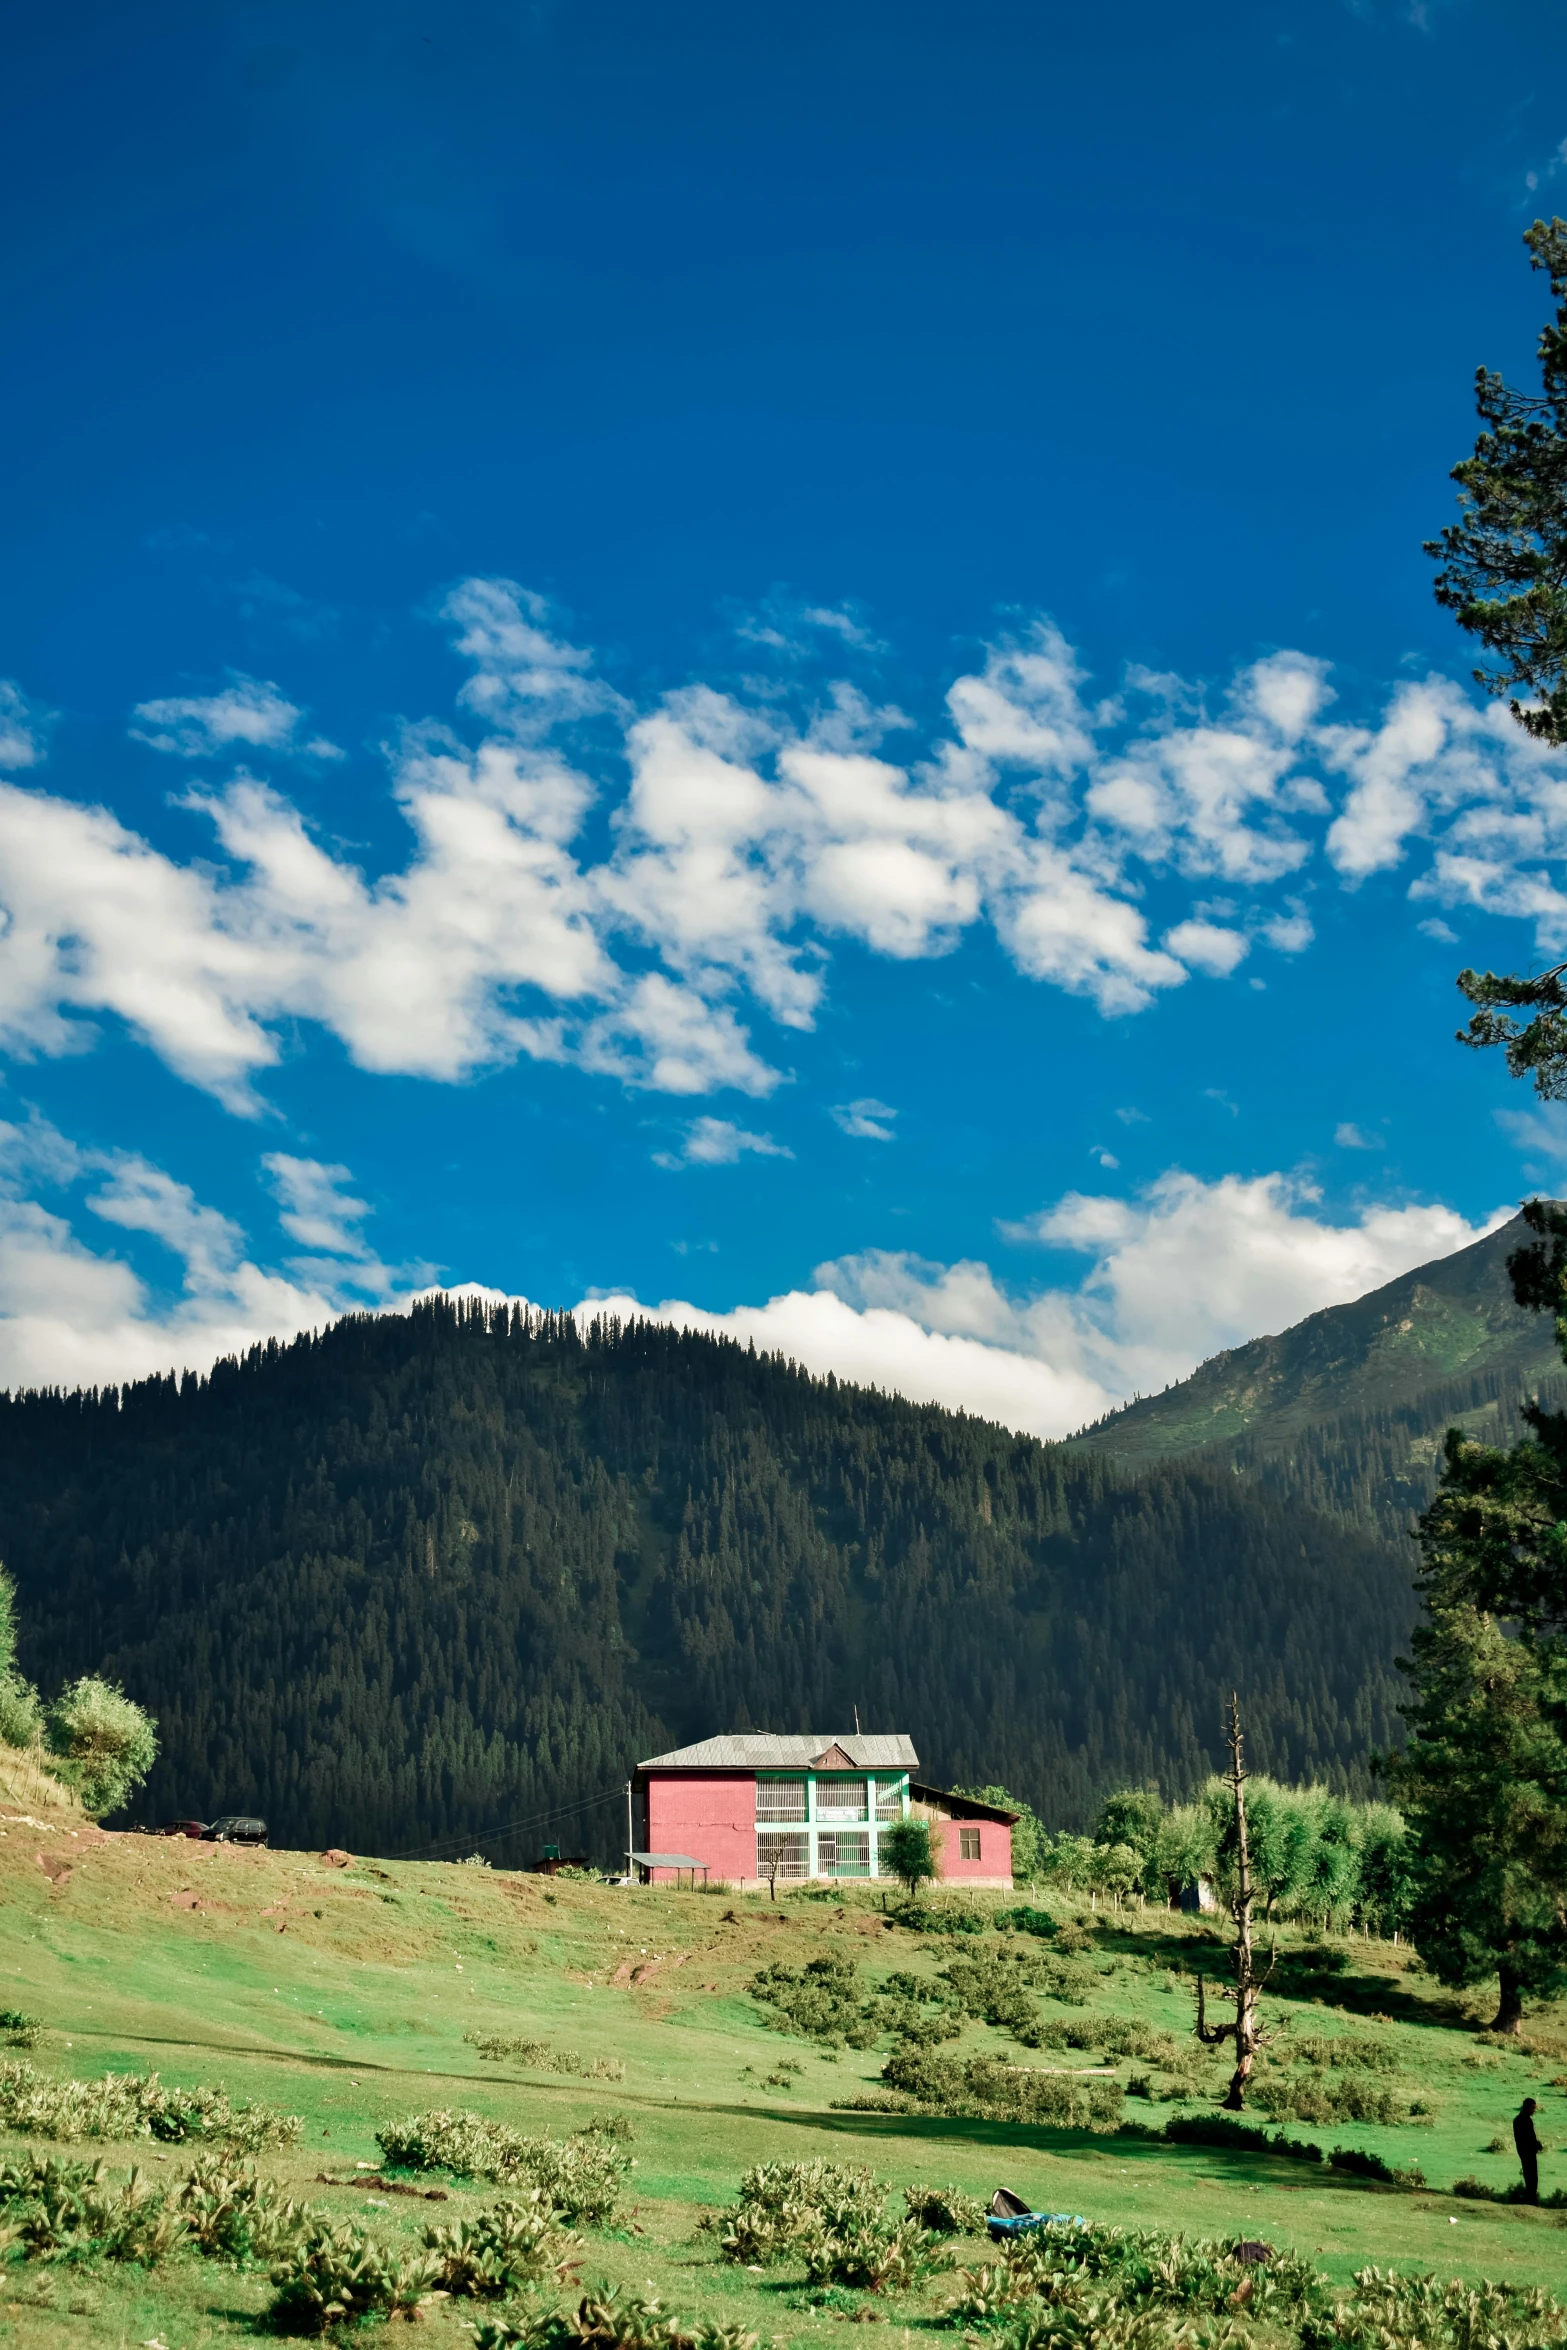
{"x": 812, "y": 1804}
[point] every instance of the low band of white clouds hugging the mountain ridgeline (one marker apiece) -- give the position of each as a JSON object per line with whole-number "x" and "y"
{"x": 1169, "y": 1277}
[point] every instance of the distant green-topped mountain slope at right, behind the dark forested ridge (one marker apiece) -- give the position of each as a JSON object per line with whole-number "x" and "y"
{"x": 1347, "y": 1411}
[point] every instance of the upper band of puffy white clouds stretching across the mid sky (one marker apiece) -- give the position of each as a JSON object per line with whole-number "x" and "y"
{"x": 744, "y": 838}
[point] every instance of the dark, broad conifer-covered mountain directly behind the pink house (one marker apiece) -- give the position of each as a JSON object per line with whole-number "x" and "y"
{"x": 431, "y": 1573}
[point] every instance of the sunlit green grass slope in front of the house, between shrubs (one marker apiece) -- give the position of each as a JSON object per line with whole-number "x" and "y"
{"x": 347, "y": 1996}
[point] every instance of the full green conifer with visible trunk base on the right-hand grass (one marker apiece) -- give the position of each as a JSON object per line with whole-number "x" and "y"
{"x": 1484, "y": 1785}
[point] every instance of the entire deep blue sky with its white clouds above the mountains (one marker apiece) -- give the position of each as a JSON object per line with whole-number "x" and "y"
{"x": 776, "y": 666}
